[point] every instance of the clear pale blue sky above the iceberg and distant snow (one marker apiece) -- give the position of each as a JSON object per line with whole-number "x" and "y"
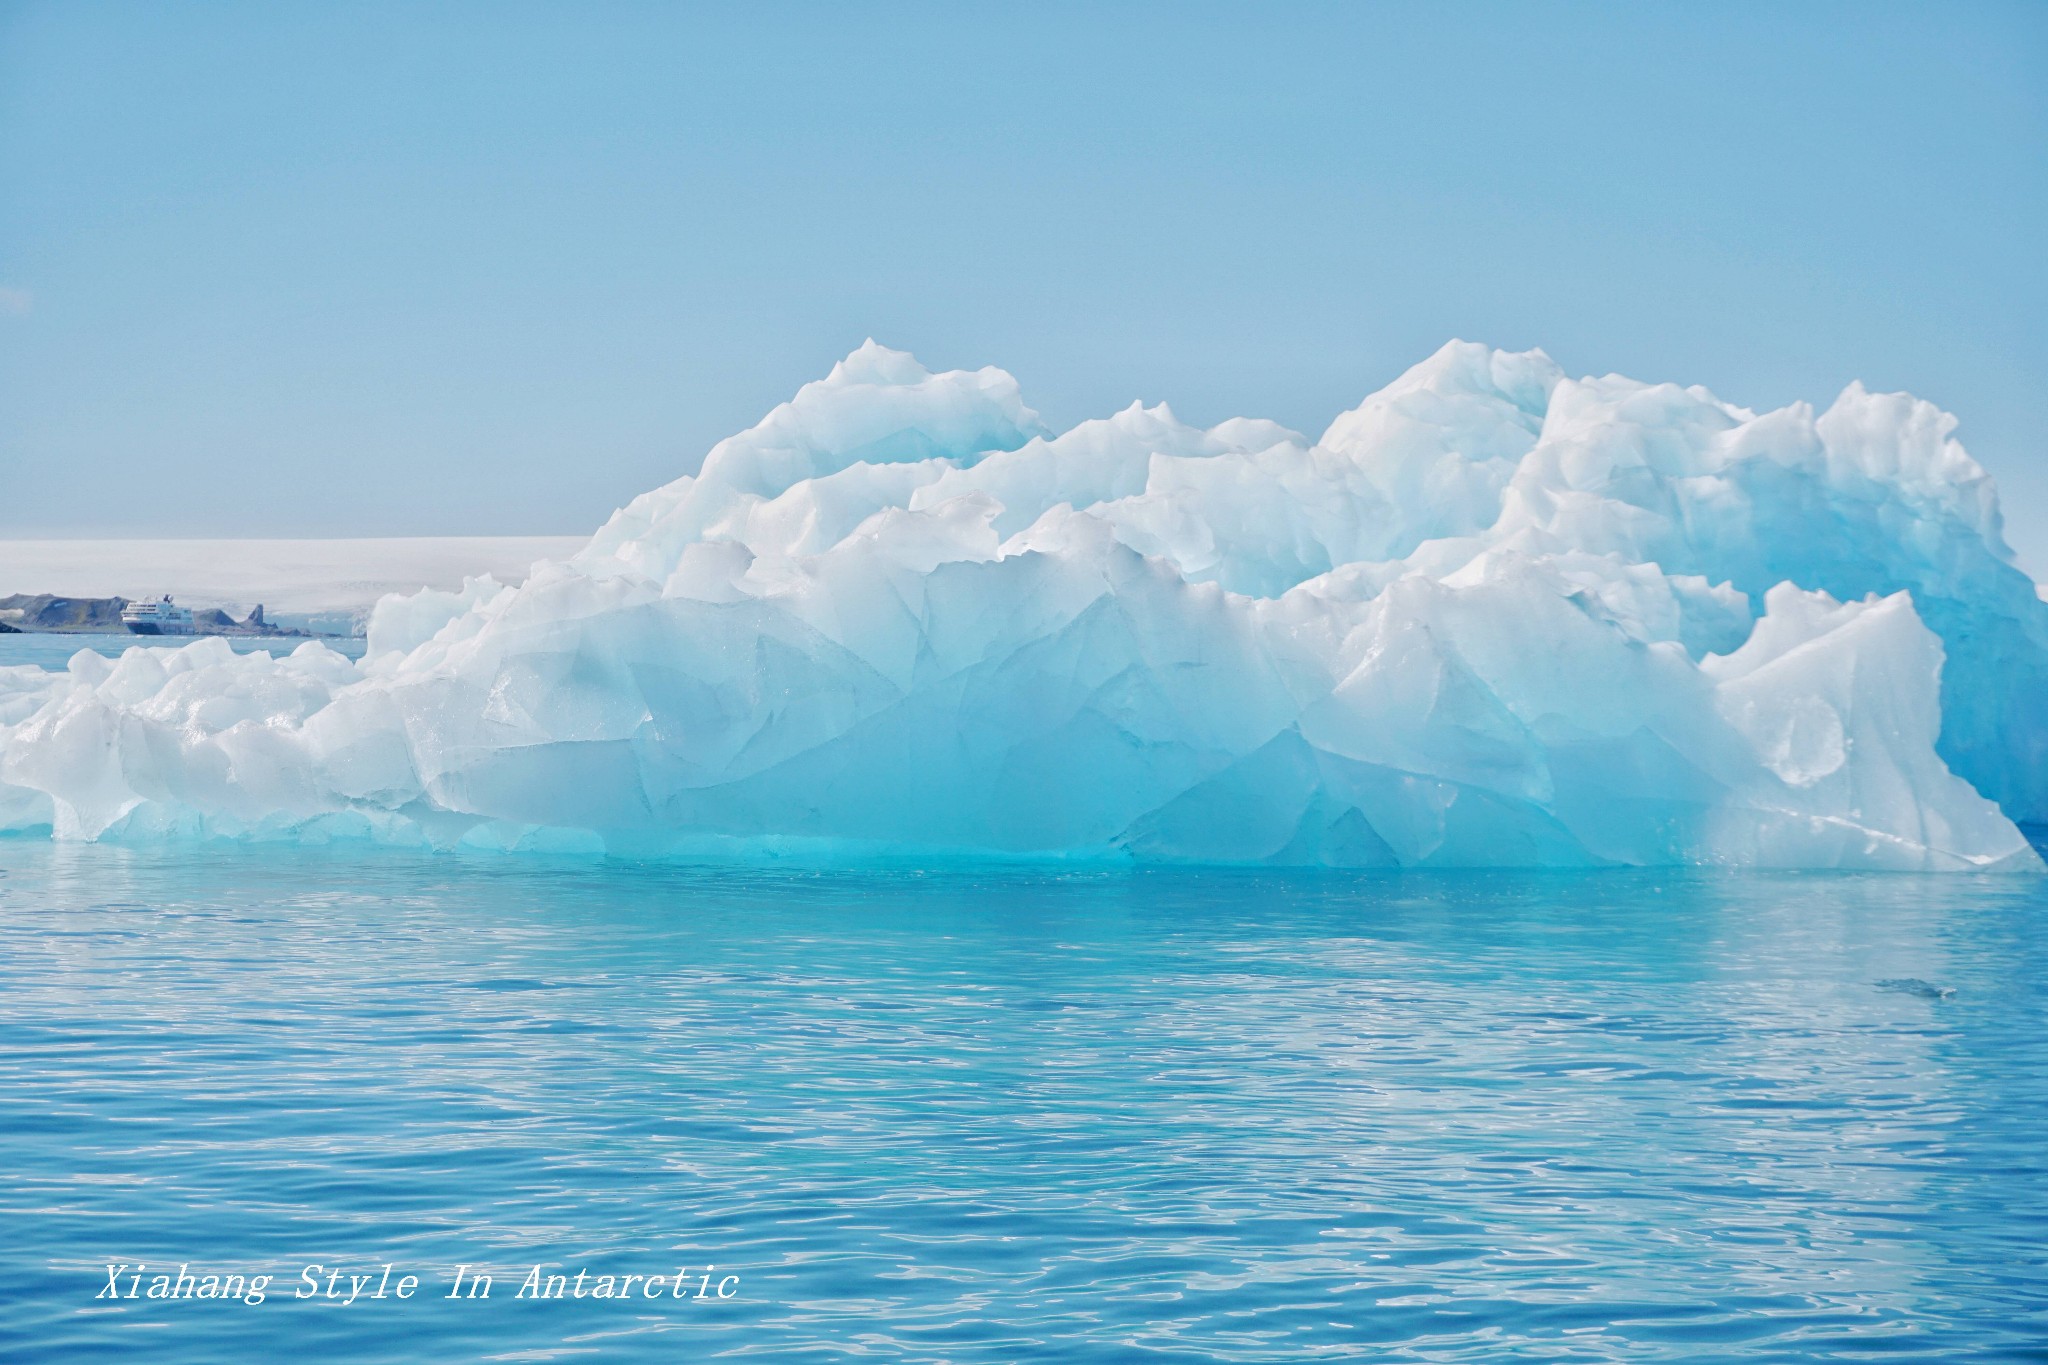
{"x": 355, "y": 269}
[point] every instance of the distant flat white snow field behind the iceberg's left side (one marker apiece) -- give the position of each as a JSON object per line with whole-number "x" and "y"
{"x": 290, "y": 578}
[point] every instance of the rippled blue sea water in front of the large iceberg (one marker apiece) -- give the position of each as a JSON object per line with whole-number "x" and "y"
{"x": 1021, "y": 1114}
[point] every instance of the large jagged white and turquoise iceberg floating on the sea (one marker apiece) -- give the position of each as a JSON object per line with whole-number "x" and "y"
{"x": 1492, "y": 617}
